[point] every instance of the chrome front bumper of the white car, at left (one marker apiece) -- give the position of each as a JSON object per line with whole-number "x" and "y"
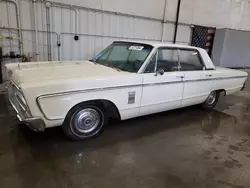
{"x": 34, "y": 123}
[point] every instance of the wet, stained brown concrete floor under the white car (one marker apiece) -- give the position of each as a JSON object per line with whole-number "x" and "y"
{"x": 183, "y": 148}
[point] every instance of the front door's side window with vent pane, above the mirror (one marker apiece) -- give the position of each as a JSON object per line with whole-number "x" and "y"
{"x": 167, "y": 60}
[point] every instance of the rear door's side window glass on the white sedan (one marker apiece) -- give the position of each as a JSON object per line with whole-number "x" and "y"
{"x": 190, "y": 60}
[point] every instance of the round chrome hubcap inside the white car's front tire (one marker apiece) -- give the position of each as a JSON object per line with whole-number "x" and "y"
{"x": 86, "y": 120}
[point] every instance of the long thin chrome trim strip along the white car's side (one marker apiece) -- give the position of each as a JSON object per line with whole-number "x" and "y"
{"x": 118, "y": 87}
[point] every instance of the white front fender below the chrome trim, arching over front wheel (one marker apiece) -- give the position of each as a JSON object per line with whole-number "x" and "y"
{"x": 56, "y": 106}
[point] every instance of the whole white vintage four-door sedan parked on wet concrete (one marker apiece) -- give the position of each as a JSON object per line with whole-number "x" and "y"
{"x": 126, "y": 80}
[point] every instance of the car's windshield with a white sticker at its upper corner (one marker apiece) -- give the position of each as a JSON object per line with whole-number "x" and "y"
{"x": 124, "y": 56}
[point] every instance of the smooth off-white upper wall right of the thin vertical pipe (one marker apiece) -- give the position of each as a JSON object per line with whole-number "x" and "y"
{"x": 214, "y": 13}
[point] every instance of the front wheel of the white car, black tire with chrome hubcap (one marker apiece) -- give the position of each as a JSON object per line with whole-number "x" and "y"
{"x": 75, "y": 127}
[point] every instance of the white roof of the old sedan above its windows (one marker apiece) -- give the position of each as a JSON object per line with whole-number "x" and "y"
{"x": 159, "y": 44}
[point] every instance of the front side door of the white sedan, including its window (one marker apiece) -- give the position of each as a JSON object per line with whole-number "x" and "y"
{"x": 162, "y": 83}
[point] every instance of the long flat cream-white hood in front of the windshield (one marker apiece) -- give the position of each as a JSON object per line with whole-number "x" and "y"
{"x": 41, "y": 71}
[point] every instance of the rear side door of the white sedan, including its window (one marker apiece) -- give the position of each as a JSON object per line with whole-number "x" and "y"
{"x": 197, "y": 80}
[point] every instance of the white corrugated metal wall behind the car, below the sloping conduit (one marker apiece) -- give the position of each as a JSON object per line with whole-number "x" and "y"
{"x": 95, "y": 28}
